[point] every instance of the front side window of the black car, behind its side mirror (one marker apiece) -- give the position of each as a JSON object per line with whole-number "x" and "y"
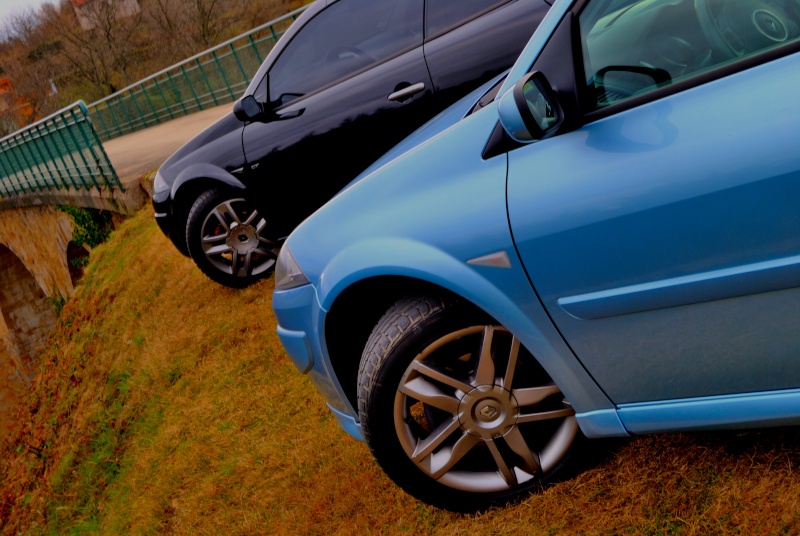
{"x": 344, "y": 38}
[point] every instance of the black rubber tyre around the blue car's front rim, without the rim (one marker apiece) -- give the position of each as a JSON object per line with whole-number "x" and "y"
{"x": 409, "y": 326}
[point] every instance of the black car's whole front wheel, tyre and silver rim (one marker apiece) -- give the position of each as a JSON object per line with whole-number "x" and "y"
{"x": 224, "y": 238}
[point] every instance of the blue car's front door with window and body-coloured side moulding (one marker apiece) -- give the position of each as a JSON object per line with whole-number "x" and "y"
{"x": 661, "y": 230}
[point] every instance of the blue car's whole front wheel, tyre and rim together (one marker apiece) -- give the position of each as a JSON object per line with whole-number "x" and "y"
{"x": 438, "y": 416}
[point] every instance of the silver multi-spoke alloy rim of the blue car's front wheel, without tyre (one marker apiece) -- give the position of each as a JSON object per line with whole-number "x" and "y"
{"x": 475, "y": 412}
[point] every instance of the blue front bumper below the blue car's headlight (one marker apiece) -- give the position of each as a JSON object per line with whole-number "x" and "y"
{"x": 300, "y": 328}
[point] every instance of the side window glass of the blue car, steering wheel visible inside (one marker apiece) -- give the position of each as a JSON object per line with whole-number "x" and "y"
{"x": 632, "y": 47}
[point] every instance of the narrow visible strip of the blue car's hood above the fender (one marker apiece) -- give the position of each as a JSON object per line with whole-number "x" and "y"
{"x": 441, "y": 122}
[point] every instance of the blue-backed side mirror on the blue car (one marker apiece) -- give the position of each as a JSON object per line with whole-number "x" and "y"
{"x": 530, "y": 111}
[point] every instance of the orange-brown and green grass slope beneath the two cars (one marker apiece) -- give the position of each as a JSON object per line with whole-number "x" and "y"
{"x": 164, "y": 403}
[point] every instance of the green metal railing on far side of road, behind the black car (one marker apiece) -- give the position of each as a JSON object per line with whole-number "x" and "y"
{"x": 217, "y": 76}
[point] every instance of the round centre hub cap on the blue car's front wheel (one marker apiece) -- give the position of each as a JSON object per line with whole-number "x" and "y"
{"x": 488, "y": 411}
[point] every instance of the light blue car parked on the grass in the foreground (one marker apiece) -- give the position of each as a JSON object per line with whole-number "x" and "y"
{"x": 604, "y": 243}
